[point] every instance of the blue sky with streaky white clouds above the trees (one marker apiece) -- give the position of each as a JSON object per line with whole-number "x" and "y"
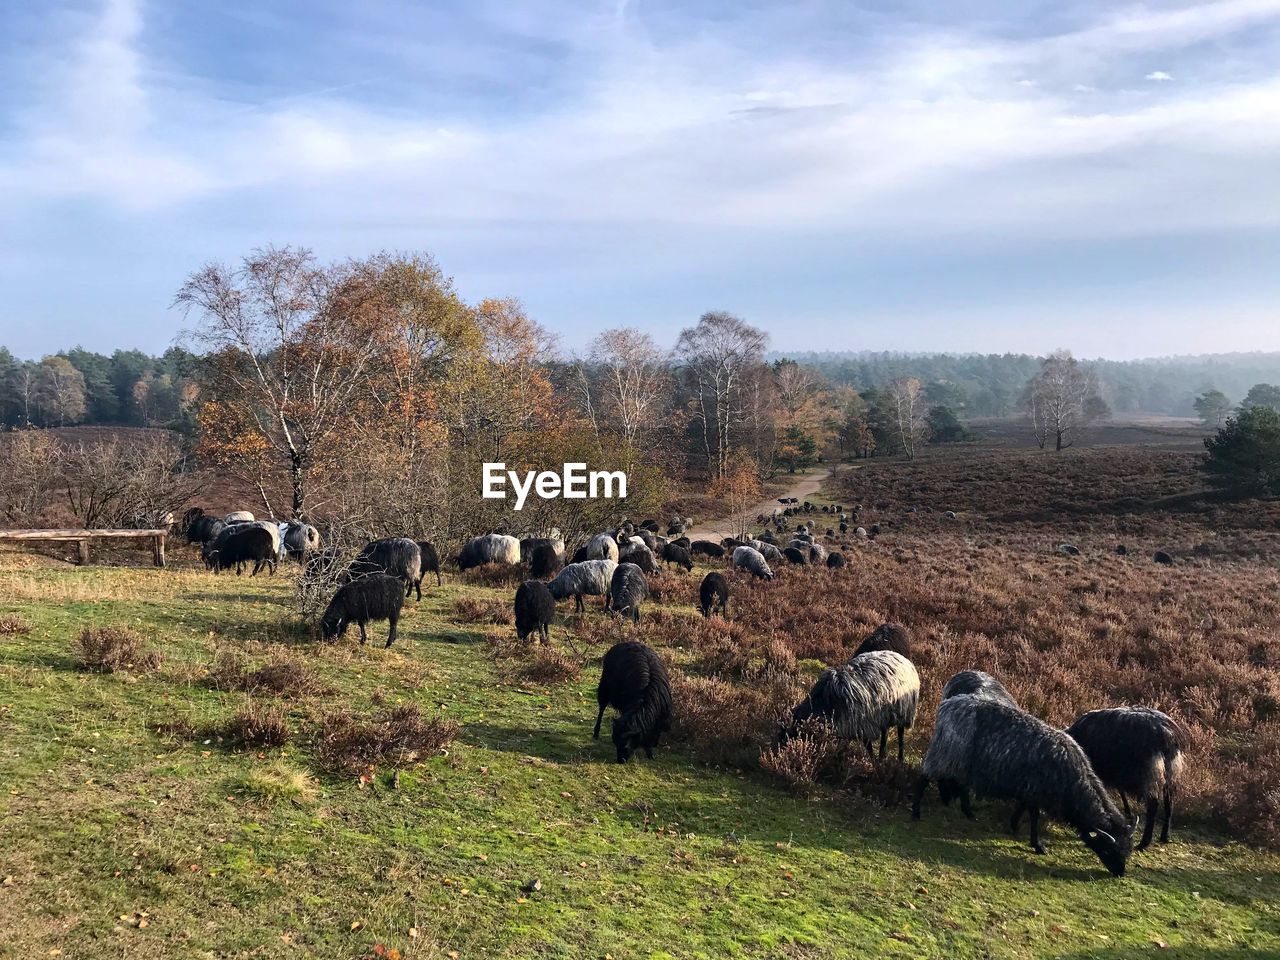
{"x": 909, "y": 176}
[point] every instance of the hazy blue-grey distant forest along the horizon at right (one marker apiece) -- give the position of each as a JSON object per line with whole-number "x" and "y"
{"x": 993, "y": 385}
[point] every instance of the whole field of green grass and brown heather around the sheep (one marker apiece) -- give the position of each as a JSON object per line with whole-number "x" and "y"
{"x": 145, "y": 813}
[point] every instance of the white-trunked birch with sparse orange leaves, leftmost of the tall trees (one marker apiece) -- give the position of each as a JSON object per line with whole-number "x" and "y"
{"x": 290, "y": 349}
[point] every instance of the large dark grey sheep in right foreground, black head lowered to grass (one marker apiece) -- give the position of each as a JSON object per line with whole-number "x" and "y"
{"x": 998, "y": 751}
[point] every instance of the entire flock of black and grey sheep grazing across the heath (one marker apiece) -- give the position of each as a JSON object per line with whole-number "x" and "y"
{"x": 984, "y": 742}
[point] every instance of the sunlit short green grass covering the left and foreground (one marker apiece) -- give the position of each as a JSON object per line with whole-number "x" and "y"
{"x": 227, "y": 853}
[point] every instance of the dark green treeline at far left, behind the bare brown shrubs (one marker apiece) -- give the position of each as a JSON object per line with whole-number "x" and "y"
{"x": 127, "y": 388}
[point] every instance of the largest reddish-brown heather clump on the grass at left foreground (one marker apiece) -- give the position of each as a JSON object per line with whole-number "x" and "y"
{"x": 400, "y": 737}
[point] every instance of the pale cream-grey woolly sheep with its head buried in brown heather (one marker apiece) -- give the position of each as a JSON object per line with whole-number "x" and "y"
{"x": 865, "y": 700}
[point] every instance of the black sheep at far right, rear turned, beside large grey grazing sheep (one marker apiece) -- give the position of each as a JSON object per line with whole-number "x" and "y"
{"x": 1136, "y": 751}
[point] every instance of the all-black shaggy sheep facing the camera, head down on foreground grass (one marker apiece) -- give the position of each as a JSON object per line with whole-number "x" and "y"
{"x": 634, "y": 682}
